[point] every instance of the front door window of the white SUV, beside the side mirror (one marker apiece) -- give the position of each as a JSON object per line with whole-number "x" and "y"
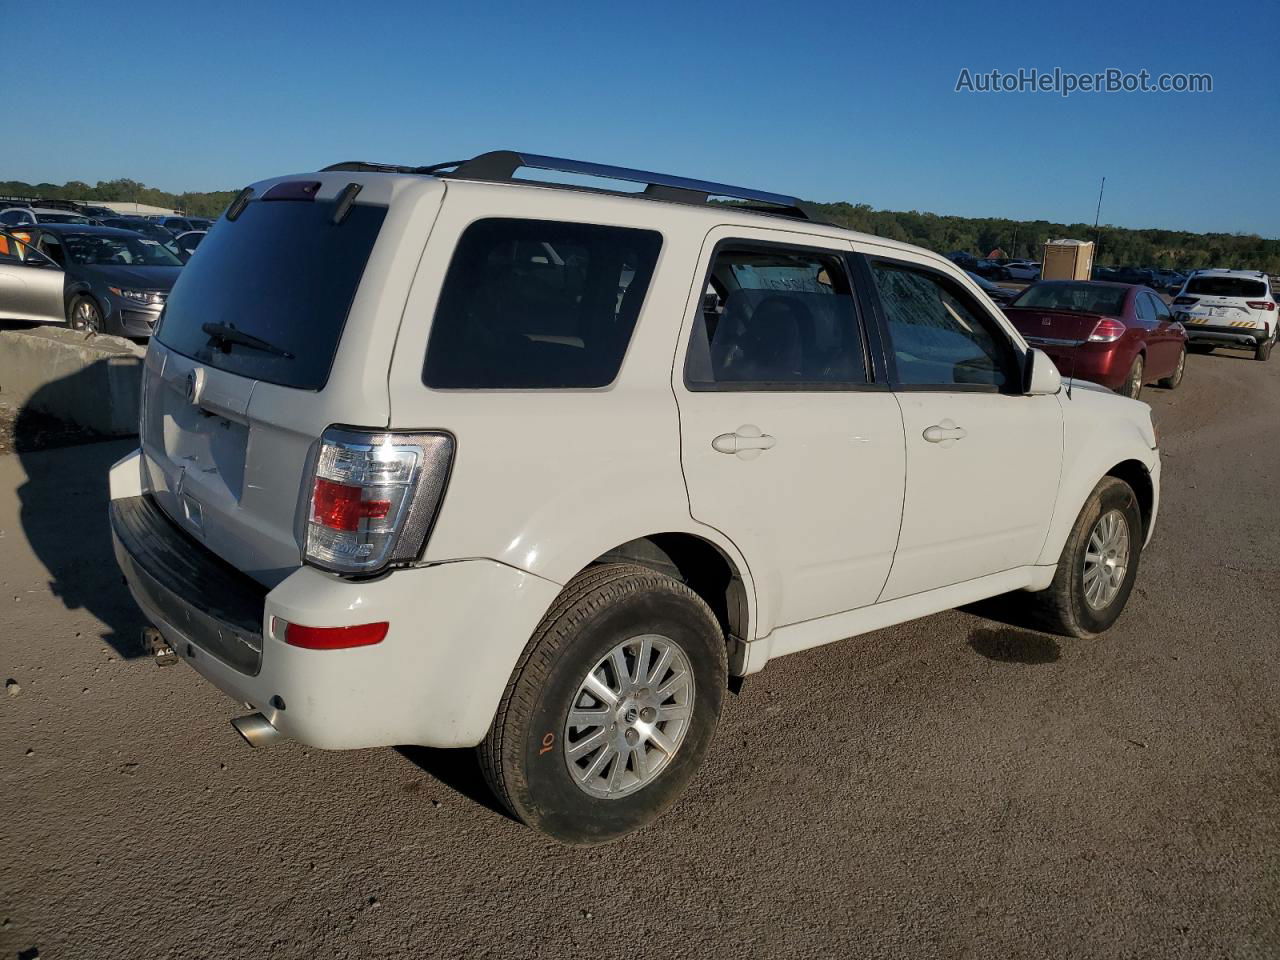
{"x": 938, "y": 336}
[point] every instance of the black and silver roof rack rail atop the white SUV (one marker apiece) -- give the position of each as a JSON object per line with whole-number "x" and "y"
{"x": 501, "y": 166}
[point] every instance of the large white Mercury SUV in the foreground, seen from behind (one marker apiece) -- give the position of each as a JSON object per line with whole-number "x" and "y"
{"x": 441, "y": 456}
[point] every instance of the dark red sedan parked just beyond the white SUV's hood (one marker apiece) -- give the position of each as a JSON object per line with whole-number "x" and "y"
{"x": 1117, "y": 335}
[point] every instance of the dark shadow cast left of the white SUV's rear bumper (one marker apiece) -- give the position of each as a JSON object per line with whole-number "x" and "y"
{"x": 63, "y": 506}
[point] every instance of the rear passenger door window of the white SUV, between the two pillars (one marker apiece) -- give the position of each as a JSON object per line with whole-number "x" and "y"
{"x": 774, "y": 318}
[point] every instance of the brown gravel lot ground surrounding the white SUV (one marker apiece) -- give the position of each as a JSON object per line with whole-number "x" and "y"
{"x": 952, "y": 788}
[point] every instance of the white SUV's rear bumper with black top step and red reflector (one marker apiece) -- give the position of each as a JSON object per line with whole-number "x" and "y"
{"x": 456, "y": 634}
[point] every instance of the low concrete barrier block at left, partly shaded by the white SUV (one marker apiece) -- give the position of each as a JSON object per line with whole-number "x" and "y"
{"x": 94, "y": 382}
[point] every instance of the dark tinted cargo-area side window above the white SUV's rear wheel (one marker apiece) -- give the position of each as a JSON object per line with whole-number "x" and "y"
{"x": 538, "y": 305}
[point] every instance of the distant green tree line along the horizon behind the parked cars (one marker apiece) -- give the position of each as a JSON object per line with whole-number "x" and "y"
{"x": 1117, "y": 246}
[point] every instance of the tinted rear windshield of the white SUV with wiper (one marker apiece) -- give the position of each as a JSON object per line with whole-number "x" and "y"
{"x": 284, "y": 275}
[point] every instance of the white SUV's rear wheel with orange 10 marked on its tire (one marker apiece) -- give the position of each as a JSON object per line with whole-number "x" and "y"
{"x": 612, "y": 707}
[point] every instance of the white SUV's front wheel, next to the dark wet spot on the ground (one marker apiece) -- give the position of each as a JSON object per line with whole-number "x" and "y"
{"x": 1073, "y": 606}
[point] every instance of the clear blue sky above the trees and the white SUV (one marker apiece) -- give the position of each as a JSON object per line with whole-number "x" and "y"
{"x": 830, "y": 102}
